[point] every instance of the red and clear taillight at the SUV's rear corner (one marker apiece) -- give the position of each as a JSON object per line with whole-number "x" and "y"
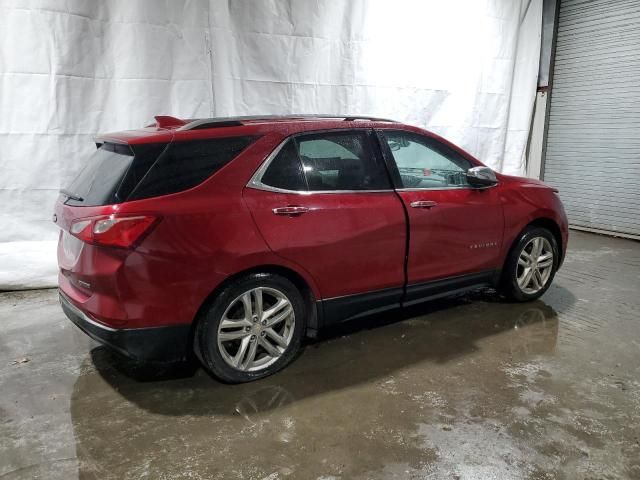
{"x": 113, "y": 230}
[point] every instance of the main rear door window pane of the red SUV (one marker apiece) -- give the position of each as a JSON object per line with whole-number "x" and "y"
{"x": 341, "y": 161}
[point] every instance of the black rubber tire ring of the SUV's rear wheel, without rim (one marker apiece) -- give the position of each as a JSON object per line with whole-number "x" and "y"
{"x": 206, "y": 341}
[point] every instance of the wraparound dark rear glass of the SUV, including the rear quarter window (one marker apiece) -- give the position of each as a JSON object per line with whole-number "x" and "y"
{"x": 116, "y": 173}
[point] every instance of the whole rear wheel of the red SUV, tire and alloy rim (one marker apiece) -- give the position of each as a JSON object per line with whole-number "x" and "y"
{"x": 246, "y": 347}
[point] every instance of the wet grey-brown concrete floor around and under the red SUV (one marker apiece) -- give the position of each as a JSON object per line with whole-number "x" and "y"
{"x": 468, "y": 388}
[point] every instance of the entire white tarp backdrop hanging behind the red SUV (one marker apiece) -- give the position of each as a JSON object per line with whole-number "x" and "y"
{"x": 466, "y": 69}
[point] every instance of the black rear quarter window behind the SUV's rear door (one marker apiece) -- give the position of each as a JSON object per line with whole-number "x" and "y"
{"x": 183, "y": 165}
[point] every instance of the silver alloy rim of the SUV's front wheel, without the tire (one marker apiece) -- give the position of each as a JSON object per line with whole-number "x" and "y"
{"x": 535, "y": 265}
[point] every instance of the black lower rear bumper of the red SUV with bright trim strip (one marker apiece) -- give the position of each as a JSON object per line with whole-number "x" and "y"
{"x": 162, "y": 344}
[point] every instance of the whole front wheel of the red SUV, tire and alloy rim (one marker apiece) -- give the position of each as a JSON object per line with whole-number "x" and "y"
{"x": 514, "y": 270}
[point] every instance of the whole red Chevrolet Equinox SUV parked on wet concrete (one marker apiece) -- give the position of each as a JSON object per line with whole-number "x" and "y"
{"x": 234, "y": 238}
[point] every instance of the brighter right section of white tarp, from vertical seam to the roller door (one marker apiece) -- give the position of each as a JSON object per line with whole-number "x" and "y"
{"x": 466, "y": 69}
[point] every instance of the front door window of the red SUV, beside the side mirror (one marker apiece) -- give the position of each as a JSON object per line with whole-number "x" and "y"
{"x": 426, "y": 163}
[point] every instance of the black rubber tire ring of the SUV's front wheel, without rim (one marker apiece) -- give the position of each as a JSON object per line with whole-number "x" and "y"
{"x": 510, "y": 279}
